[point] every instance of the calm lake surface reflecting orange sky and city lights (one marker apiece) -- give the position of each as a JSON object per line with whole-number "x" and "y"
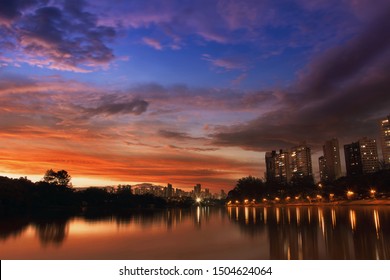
{"x": 205, "y": 233}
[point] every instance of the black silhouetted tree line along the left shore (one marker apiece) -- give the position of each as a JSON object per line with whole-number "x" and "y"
{"x": 55, "y": 193}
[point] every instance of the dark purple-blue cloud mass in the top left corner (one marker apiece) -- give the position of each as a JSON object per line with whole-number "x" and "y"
{"x": 63, "y": 37}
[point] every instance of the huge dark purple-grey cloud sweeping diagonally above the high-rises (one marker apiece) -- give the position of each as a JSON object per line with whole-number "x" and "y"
{"x": 344, "y": 94}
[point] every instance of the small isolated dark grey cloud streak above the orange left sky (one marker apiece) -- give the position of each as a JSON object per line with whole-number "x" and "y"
{"x": 135, "y": 107}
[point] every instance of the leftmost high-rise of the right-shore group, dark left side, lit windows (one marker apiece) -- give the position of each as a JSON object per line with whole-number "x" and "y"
{"x": 278, "y": 167}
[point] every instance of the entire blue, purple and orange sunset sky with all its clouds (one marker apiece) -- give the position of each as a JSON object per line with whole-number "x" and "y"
{"x": 185, "y": 92}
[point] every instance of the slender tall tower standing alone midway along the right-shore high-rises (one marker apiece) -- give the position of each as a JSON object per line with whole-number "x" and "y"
{"x": 332, "y": 159}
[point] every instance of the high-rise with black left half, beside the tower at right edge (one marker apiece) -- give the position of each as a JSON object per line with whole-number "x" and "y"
{"x": 361, "y": 157}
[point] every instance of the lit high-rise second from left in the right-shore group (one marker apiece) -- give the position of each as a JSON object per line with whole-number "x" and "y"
{"x": 300, "y": 161}
